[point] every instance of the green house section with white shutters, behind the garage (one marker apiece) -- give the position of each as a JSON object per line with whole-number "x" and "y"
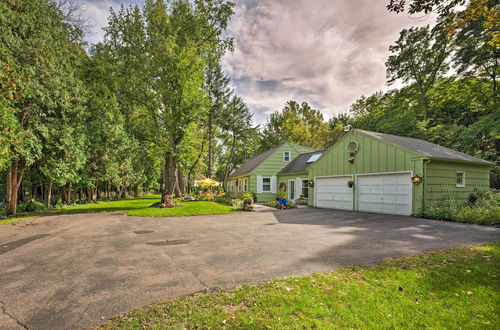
{"x": 259, "y": 174}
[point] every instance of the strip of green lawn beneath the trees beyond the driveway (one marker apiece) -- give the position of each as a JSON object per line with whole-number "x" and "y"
{"x": 135, "y": 207}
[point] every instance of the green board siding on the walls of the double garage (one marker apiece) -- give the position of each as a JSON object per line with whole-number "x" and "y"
{"x": 378, "y": 156}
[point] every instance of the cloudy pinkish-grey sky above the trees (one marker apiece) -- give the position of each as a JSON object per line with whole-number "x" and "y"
{"x": 325, "y": 52}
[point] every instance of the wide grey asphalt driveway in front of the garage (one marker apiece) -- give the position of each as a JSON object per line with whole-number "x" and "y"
{"x": 76, "y": 271}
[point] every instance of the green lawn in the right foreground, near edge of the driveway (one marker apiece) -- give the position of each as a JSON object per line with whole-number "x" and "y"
{"x": 449, "y": 289}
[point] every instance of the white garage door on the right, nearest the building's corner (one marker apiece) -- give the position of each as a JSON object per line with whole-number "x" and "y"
{"x": 386, "y": 193}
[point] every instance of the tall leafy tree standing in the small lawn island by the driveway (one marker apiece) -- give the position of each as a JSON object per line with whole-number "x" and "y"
{"x": 161, "y": 54}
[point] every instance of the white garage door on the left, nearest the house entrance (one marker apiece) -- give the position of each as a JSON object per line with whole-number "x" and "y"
{"x": 334, "y": 193}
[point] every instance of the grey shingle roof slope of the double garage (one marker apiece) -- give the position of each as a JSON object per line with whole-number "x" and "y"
{"x": 425, "y": 148}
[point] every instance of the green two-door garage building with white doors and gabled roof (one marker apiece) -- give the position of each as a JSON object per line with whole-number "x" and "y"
{"x": 375, "y": 172}
